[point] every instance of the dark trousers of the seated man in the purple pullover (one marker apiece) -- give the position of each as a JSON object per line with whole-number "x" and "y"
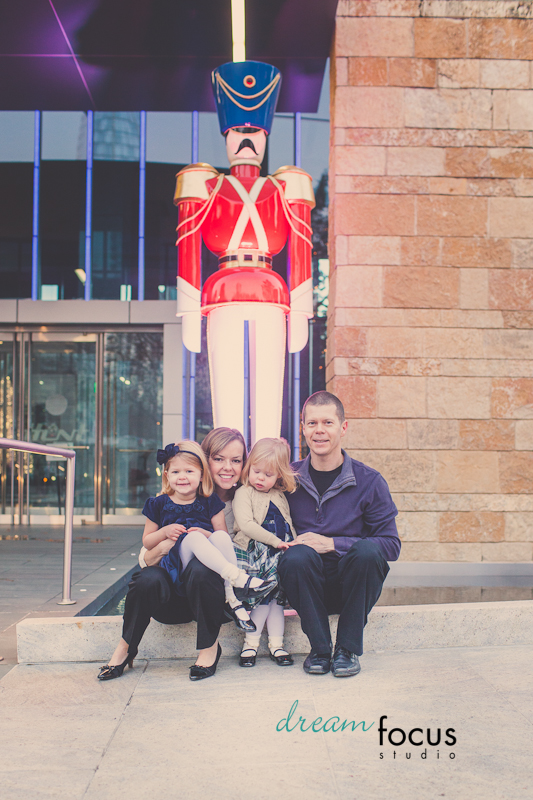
{"x": 318, "y": 585}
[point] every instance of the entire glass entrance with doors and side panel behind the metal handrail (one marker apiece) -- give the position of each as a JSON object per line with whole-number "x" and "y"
{"x": 100, "y": 394}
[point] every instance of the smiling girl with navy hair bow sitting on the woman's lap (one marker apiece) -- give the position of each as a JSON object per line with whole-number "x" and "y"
{"x": 191, "y": 515}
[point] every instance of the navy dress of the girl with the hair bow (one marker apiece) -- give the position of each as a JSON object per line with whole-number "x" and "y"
{"x": 163, "y": 511}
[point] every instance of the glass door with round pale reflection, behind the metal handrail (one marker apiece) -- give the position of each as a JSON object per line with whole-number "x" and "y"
{"x": 61, "y": 410}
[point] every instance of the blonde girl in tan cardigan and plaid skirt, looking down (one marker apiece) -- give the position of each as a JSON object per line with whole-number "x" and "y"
{"x": 264, "y": 527}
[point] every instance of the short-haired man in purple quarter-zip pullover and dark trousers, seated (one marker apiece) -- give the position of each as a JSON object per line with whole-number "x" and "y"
{"x": 345, "y": 520}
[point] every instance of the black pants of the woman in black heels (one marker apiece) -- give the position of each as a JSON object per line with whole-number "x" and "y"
{"x": 152, "y": 595}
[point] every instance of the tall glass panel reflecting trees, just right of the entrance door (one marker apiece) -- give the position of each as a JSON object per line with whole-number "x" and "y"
{"x": 133, "y": 409}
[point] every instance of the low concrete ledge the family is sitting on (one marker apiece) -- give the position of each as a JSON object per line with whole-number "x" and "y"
{"x": 389, "y": 628}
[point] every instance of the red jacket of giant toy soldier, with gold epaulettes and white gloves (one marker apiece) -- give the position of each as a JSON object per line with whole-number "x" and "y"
{"x": 244, "y": 219}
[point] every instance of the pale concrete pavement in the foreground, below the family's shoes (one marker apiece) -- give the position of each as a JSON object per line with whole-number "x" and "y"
{"x": 153, "y": 733}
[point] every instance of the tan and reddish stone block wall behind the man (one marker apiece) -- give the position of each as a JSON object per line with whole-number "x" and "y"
{"x": 430, "y": 335}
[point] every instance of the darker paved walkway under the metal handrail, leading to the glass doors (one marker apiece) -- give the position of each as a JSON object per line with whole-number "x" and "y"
{"x": 31, "y": 570}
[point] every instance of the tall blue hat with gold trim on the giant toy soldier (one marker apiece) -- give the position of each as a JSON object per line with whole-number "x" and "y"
{"x": 246, "y": 93}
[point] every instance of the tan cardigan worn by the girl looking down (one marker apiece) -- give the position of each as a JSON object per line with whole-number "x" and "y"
{"x": 250, "y": 509}
